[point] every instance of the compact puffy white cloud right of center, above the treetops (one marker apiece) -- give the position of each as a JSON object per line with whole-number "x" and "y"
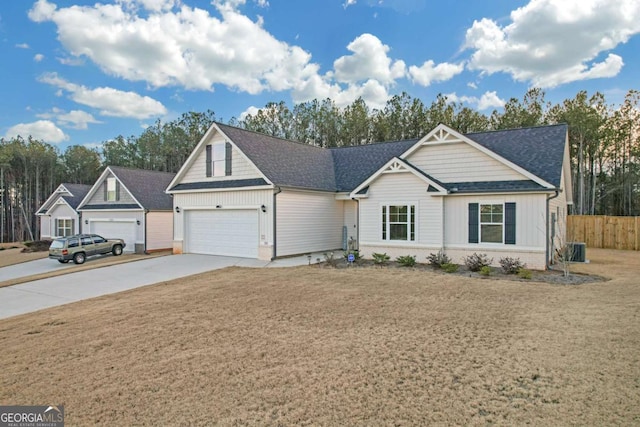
{"x": 369, "y": 61}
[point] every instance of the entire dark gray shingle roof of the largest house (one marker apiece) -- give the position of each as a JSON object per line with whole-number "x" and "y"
{"x": 539, "y": 150}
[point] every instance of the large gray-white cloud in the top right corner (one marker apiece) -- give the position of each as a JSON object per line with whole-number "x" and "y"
{"x": 550, "y": 42}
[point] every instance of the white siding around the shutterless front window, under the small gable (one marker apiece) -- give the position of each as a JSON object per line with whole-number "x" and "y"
{"x": 401, "y": 189}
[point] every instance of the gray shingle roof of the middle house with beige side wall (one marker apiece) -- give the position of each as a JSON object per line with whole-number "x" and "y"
{"x": 146, "y": 186}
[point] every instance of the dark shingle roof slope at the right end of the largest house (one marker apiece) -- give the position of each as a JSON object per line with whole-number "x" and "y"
{"x": 539, "y": 150}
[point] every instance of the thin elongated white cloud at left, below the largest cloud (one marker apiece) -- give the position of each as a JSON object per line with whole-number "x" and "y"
{"x": 110, "y": 102}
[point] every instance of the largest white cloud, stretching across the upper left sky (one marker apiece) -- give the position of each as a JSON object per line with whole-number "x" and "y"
{"x": 183, "y": 46}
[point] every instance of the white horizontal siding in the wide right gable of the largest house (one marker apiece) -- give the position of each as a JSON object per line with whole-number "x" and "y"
{"x": 460, "y": 162}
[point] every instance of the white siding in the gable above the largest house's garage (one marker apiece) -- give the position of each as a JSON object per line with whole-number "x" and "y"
{"x": 240, "y": 166}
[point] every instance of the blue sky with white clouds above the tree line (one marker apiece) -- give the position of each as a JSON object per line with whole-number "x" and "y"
{"x": 83, "y": 72}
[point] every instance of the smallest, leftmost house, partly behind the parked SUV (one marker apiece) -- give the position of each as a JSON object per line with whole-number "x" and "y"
{"x": 58, "y": 214}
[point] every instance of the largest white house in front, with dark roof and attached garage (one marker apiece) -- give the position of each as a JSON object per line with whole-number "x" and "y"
{"x": 503, "y": 193}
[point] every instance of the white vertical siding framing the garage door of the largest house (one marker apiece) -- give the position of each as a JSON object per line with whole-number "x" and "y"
{"x": 250, "y": 199}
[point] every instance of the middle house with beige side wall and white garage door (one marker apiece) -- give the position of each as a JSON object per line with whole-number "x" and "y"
{"x": 130, "y": 204}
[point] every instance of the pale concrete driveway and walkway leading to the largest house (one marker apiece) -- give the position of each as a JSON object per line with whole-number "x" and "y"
{"x": 54, "y": 291}
